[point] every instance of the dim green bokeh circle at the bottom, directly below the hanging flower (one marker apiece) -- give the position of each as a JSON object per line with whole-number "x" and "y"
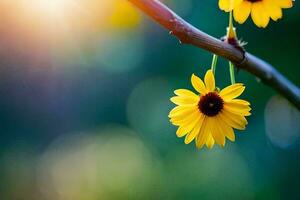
{"x": 214, "y": 174}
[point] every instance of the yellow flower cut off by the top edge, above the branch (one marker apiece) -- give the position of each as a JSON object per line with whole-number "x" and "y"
{"x": 261, "y": 10}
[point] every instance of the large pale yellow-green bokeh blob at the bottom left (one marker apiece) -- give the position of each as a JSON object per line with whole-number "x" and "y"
{"x": 107, "y": 166}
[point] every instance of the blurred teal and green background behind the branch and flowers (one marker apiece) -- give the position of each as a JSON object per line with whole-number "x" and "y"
{"x": 84, "y": 100}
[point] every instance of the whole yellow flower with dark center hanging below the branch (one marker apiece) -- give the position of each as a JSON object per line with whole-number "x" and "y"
{"x": 209, "y": 117}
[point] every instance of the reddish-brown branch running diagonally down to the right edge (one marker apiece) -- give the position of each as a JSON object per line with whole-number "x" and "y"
{"x": 188, "y": 34}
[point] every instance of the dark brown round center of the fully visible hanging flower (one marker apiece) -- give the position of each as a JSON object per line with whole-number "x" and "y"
{"x": 211, "y": 104}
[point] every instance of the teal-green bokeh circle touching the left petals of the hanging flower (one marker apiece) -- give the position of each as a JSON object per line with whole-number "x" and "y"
{"x": 147, "y": 110}
